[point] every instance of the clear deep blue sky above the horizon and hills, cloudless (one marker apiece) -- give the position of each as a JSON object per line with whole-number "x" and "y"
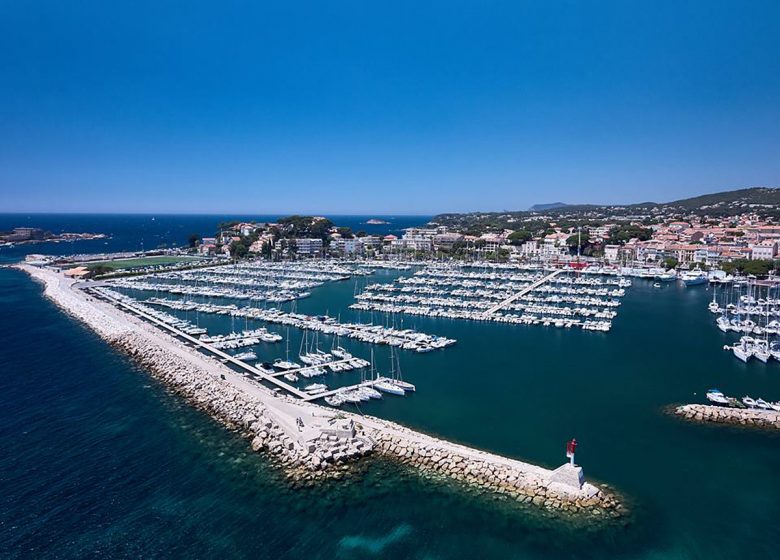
{"x": 383, "y": 107}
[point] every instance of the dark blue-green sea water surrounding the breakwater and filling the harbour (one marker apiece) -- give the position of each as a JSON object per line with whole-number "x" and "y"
{"x": 98, "y": 460}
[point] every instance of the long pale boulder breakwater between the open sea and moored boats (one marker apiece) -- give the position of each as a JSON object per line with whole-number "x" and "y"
{"x": 325, "y": 438}
